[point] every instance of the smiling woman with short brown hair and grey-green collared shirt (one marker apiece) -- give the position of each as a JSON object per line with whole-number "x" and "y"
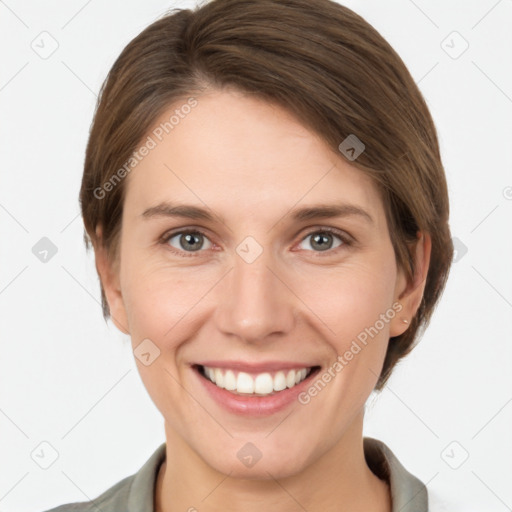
{"x": 268, "y": 209}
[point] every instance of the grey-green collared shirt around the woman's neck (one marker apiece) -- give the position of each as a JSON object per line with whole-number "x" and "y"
{"x": 136, "y": 493}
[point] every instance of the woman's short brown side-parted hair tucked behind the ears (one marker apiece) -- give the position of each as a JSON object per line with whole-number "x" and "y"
{"x": 317, "y": 59}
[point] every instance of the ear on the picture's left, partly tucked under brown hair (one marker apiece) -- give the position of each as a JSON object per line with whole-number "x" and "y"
{"x": 108, "y": 272}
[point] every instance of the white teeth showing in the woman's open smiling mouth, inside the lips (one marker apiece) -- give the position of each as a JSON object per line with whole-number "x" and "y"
{"x": 255, "y": 384}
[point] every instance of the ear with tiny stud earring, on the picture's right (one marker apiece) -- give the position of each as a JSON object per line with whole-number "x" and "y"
{"x": 409, "y": 293}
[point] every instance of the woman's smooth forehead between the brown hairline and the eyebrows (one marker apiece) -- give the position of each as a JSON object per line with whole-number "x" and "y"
{"x": 238, "y": 154}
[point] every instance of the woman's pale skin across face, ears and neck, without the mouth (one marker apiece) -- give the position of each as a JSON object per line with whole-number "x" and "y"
{"x": 253, "y": 164}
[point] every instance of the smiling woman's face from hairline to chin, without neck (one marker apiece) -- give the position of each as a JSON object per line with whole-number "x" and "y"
{"x": 256, "y": 287}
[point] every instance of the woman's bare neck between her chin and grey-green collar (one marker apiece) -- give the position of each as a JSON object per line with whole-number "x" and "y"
{"x": 339, "y": 480}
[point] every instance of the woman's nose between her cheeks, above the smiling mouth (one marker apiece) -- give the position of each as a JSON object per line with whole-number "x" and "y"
{"x": 255, "y": 301}
